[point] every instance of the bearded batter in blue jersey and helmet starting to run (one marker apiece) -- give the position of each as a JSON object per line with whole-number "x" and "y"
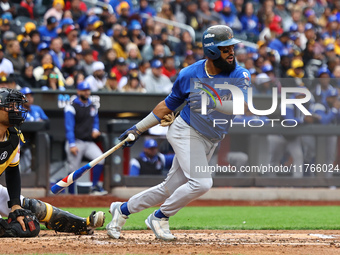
{"x": 192, "y": 134}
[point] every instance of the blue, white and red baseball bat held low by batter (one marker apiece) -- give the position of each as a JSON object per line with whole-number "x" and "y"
{"x": 68, "y": 180}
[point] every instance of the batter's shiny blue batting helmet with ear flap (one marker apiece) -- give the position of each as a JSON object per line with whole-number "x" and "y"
{"x": 215, "y": 36}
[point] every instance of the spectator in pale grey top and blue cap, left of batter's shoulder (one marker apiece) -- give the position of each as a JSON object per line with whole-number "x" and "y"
{"x": 155, "y": 81}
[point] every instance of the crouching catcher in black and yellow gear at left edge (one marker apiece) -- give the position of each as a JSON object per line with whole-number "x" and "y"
{"x": 24, "y": 214}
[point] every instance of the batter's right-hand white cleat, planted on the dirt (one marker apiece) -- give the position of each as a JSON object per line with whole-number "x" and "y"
{"x": 160, "y": 227}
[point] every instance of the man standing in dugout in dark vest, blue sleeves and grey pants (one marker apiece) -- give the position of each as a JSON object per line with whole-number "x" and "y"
{"x": 82, "y": 129}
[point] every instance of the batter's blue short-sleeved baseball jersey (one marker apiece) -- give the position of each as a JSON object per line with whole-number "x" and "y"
{"x": 186, "y": 83}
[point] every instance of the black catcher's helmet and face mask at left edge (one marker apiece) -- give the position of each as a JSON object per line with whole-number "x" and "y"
{"x": 12, "y": 102}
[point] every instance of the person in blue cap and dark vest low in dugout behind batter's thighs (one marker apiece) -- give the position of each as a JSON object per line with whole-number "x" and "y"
{"x": 150, "y": 161}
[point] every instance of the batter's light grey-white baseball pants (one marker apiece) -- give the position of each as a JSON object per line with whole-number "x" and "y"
{"x": 180, "y": 187}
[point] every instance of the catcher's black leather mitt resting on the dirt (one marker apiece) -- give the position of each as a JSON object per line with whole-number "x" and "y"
{"x": 14, "y": 228}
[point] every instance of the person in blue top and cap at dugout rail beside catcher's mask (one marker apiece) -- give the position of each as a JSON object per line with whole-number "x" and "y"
{"x": 34, "y": 113}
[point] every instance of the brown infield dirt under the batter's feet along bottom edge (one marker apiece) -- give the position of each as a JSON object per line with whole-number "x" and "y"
{"x": 188, "y": 242}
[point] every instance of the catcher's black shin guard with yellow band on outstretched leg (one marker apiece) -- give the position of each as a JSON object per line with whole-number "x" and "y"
{"x": 57, "y": 219}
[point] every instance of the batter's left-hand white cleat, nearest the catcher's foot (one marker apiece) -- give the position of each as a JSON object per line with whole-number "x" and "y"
{"x": 118, "y": 220}
